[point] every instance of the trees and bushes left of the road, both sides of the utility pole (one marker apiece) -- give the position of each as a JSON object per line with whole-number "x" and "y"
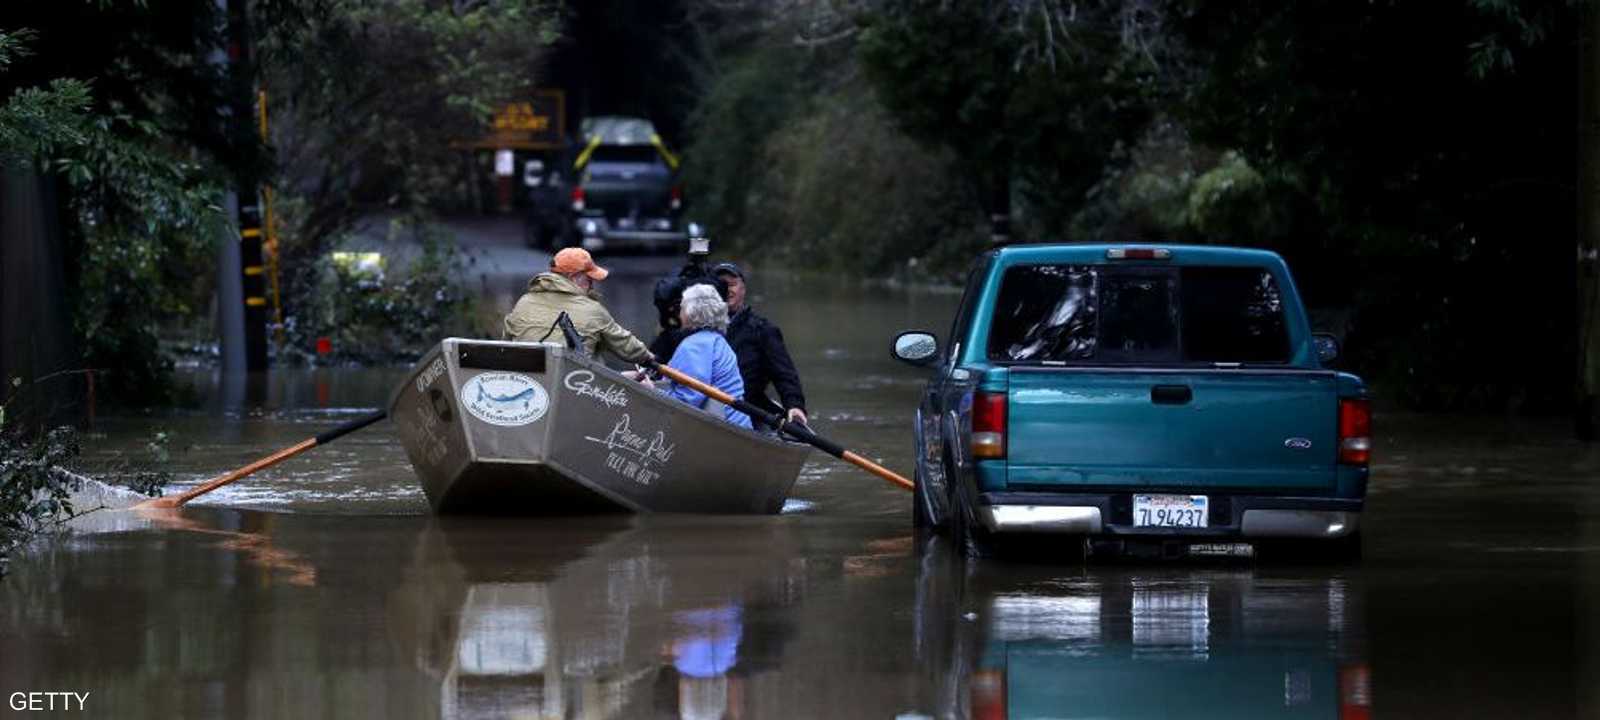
{"x": 113, "y": 111}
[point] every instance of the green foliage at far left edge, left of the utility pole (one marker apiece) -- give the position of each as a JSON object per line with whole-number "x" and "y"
{"x": 140, "y": 223}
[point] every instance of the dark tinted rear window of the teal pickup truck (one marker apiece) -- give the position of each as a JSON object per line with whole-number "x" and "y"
{"x": 1132, "y": 314}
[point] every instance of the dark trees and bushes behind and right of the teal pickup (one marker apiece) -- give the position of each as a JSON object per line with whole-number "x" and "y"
{"x": 1414, "y": 164}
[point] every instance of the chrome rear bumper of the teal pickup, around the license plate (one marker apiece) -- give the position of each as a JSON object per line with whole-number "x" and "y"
{"x": 1110, "y": 514}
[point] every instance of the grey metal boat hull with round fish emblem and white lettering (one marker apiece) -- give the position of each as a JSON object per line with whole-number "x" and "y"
{"x": 535, "y": 430}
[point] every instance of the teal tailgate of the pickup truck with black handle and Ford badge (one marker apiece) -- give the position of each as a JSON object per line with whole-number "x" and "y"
{"x": 1254, "y": 431}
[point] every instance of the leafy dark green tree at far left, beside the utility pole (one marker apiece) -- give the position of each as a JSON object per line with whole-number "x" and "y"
{"x": 137, "y": 214}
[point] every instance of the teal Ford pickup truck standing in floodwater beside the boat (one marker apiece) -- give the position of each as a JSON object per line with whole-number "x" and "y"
{"x": 1145, "y": 399}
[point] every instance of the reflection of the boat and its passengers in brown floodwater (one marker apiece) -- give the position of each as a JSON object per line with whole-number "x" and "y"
{"x": 610, "y": 618}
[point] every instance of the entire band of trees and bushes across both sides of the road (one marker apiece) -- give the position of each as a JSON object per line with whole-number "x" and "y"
{"x": 1415, "y": 164}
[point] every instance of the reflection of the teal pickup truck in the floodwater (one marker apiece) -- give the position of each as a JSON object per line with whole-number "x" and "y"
{"x": 1158, "y": 644}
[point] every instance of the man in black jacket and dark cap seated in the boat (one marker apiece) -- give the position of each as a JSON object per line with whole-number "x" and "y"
{"x": 764, "y": 359}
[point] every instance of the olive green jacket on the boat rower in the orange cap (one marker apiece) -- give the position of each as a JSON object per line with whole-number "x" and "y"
{"x": 548, "y": 297}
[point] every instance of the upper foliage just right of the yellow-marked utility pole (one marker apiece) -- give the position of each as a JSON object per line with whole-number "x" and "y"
{"x": 370, "y": 100}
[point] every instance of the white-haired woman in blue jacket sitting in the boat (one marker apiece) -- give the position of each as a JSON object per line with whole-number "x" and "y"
{"x": 706, "y": 356}
